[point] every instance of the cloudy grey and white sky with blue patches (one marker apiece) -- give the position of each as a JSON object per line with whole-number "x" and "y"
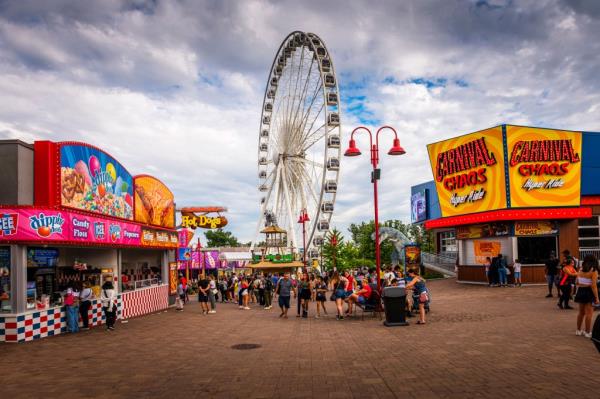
{"x": 174, "y": 88}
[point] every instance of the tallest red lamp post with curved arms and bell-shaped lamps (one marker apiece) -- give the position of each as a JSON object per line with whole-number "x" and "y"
{"x": 353, "y": 151}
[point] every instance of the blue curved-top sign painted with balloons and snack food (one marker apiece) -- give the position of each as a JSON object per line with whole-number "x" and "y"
{"x": 93, "y": 181}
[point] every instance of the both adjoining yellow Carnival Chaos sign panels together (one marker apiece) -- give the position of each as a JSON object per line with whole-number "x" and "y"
{"x": 507, "y": 166}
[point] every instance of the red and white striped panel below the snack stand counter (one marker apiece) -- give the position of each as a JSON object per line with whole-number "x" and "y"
{"x": 144, "y": 301}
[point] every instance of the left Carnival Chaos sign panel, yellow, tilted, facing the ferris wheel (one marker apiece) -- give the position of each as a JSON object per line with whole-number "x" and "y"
{"x": 469, "y": 172}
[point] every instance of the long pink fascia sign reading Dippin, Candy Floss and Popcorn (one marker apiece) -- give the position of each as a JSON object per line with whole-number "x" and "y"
{"x": 60, "y": 225}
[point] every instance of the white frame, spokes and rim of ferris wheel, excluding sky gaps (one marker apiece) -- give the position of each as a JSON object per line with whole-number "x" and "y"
{"x": 277, "y": 176}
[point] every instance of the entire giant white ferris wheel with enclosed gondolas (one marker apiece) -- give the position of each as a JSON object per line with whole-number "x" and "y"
{"x": 299, "y": 141}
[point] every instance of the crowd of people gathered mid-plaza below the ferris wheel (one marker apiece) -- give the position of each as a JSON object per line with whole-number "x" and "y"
{"x": 348, "y": 289}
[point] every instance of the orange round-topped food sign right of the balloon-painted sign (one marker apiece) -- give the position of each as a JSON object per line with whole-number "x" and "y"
{"x": 154, "y": 202}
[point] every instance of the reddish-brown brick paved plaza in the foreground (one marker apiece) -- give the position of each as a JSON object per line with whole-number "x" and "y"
{"x": 480, "y": 342}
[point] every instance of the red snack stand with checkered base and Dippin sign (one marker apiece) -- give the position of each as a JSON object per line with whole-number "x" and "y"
{"x": 71, "y": 213}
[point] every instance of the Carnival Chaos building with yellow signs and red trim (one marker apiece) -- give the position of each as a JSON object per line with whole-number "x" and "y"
{"x": 524, "y": 192}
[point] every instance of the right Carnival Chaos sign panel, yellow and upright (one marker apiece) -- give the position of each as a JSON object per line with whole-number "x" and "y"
{"x": 544, "y": 167}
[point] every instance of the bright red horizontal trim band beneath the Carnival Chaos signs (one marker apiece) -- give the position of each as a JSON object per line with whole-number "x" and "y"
{"x": 511, "y": 214}
